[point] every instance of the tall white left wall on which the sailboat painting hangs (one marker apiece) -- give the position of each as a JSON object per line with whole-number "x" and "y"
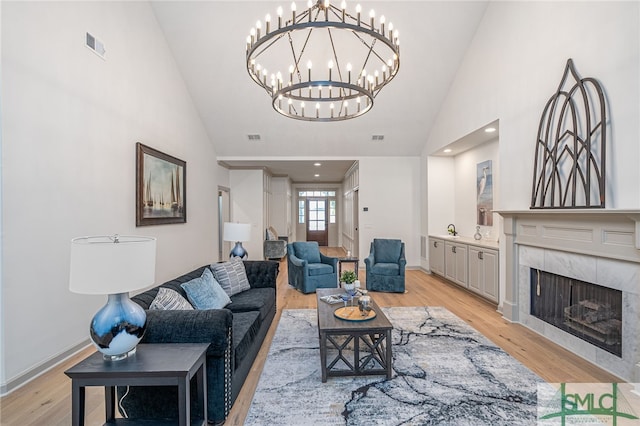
{"x": 70, "y": 124}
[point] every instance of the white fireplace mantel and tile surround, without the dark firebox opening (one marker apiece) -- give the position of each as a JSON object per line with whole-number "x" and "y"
{"x": 595, "y": 241}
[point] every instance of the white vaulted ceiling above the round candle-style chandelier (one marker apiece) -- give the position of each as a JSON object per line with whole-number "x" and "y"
{"x": 208, "y": 39}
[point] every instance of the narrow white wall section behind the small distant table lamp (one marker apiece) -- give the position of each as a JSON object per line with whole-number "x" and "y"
{"x": 247, "y": 206}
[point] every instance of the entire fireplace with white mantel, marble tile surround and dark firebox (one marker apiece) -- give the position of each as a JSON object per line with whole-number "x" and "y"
{"x": 588, "y": 264}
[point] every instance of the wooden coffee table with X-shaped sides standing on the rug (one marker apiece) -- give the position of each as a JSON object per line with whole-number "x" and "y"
{"x": 358, "y": 348}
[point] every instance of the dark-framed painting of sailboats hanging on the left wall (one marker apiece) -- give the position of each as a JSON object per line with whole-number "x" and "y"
{"x": 161, "y": 182}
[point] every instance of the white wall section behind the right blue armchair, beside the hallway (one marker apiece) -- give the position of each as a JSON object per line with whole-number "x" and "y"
{"x": 390, "y": 189}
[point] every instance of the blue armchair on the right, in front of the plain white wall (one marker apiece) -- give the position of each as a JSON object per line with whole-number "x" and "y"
{"x": 385, "y": 266}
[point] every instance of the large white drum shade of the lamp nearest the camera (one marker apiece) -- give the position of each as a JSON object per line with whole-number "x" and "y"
{"x": 100, "y": 265}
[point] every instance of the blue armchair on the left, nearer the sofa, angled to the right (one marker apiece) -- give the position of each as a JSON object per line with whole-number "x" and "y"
{"x": 309, "y": 269}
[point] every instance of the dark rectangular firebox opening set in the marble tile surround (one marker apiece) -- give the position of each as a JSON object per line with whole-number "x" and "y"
{"x": 588, "y": 311}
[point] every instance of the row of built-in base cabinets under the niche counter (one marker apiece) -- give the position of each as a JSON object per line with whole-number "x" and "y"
{"x": 471, "y": 265}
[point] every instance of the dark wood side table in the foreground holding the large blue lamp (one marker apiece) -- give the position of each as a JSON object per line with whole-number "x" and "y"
{"x": 152, "y": 365}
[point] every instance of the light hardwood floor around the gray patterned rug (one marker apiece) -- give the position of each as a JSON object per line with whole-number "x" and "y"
{"x": 47, "y": 399}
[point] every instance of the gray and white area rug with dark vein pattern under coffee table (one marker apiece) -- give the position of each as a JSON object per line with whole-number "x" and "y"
{"x": 445, "y": 373}
